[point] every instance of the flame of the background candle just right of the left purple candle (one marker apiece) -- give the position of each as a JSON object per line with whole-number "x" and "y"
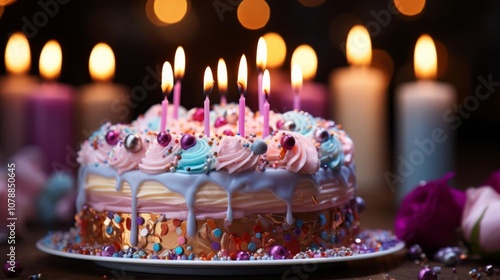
{"x": 102, "y": 63}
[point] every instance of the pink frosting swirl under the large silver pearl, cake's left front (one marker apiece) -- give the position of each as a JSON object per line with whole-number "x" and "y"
{"x": 123, "y": 160}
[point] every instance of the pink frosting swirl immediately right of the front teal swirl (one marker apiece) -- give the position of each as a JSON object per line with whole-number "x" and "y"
{"x": 235, "y": 155}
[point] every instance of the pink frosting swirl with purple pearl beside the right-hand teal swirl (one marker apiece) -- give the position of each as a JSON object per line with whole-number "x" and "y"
{"x": 303, "y": 158}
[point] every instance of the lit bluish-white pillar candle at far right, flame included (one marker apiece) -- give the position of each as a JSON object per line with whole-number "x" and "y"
{"x": 425, "y": 139}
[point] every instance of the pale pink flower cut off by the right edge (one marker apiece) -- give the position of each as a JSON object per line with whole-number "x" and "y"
{"x": 481, "y": 222}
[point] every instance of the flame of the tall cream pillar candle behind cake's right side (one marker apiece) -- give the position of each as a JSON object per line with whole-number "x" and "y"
{"x": 359, "y": 46}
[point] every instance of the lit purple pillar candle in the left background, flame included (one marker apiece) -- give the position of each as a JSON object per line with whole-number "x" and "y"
{"x": 50, "y": 112}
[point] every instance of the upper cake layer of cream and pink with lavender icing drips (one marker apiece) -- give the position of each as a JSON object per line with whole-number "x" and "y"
{"x": 216, "y": 195}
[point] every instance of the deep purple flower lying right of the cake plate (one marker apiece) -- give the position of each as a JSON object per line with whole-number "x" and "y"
{"x": 430, "y": 215}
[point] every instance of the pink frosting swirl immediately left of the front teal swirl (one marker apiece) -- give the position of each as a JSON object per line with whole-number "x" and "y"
{"x": 159, "y": 159}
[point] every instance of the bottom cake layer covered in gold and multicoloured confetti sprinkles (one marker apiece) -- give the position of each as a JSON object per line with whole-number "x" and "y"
{"x": 158, "y": 234}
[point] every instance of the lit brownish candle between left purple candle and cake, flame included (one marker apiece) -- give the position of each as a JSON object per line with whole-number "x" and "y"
{"x": 102, "y": 100}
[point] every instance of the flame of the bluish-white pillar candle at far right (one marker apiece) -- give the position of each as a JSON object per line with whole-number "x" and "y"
{"x": 425, "y": 59}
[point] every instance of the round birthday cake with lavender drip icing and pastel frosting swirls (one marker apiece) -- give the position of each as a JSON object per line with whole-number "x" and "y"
{"x": 180, "y": 194}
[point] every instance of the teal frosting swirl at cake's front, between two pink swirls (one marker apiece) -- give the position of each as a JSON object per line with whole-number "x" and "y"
{"x": 197, "y": 159}
